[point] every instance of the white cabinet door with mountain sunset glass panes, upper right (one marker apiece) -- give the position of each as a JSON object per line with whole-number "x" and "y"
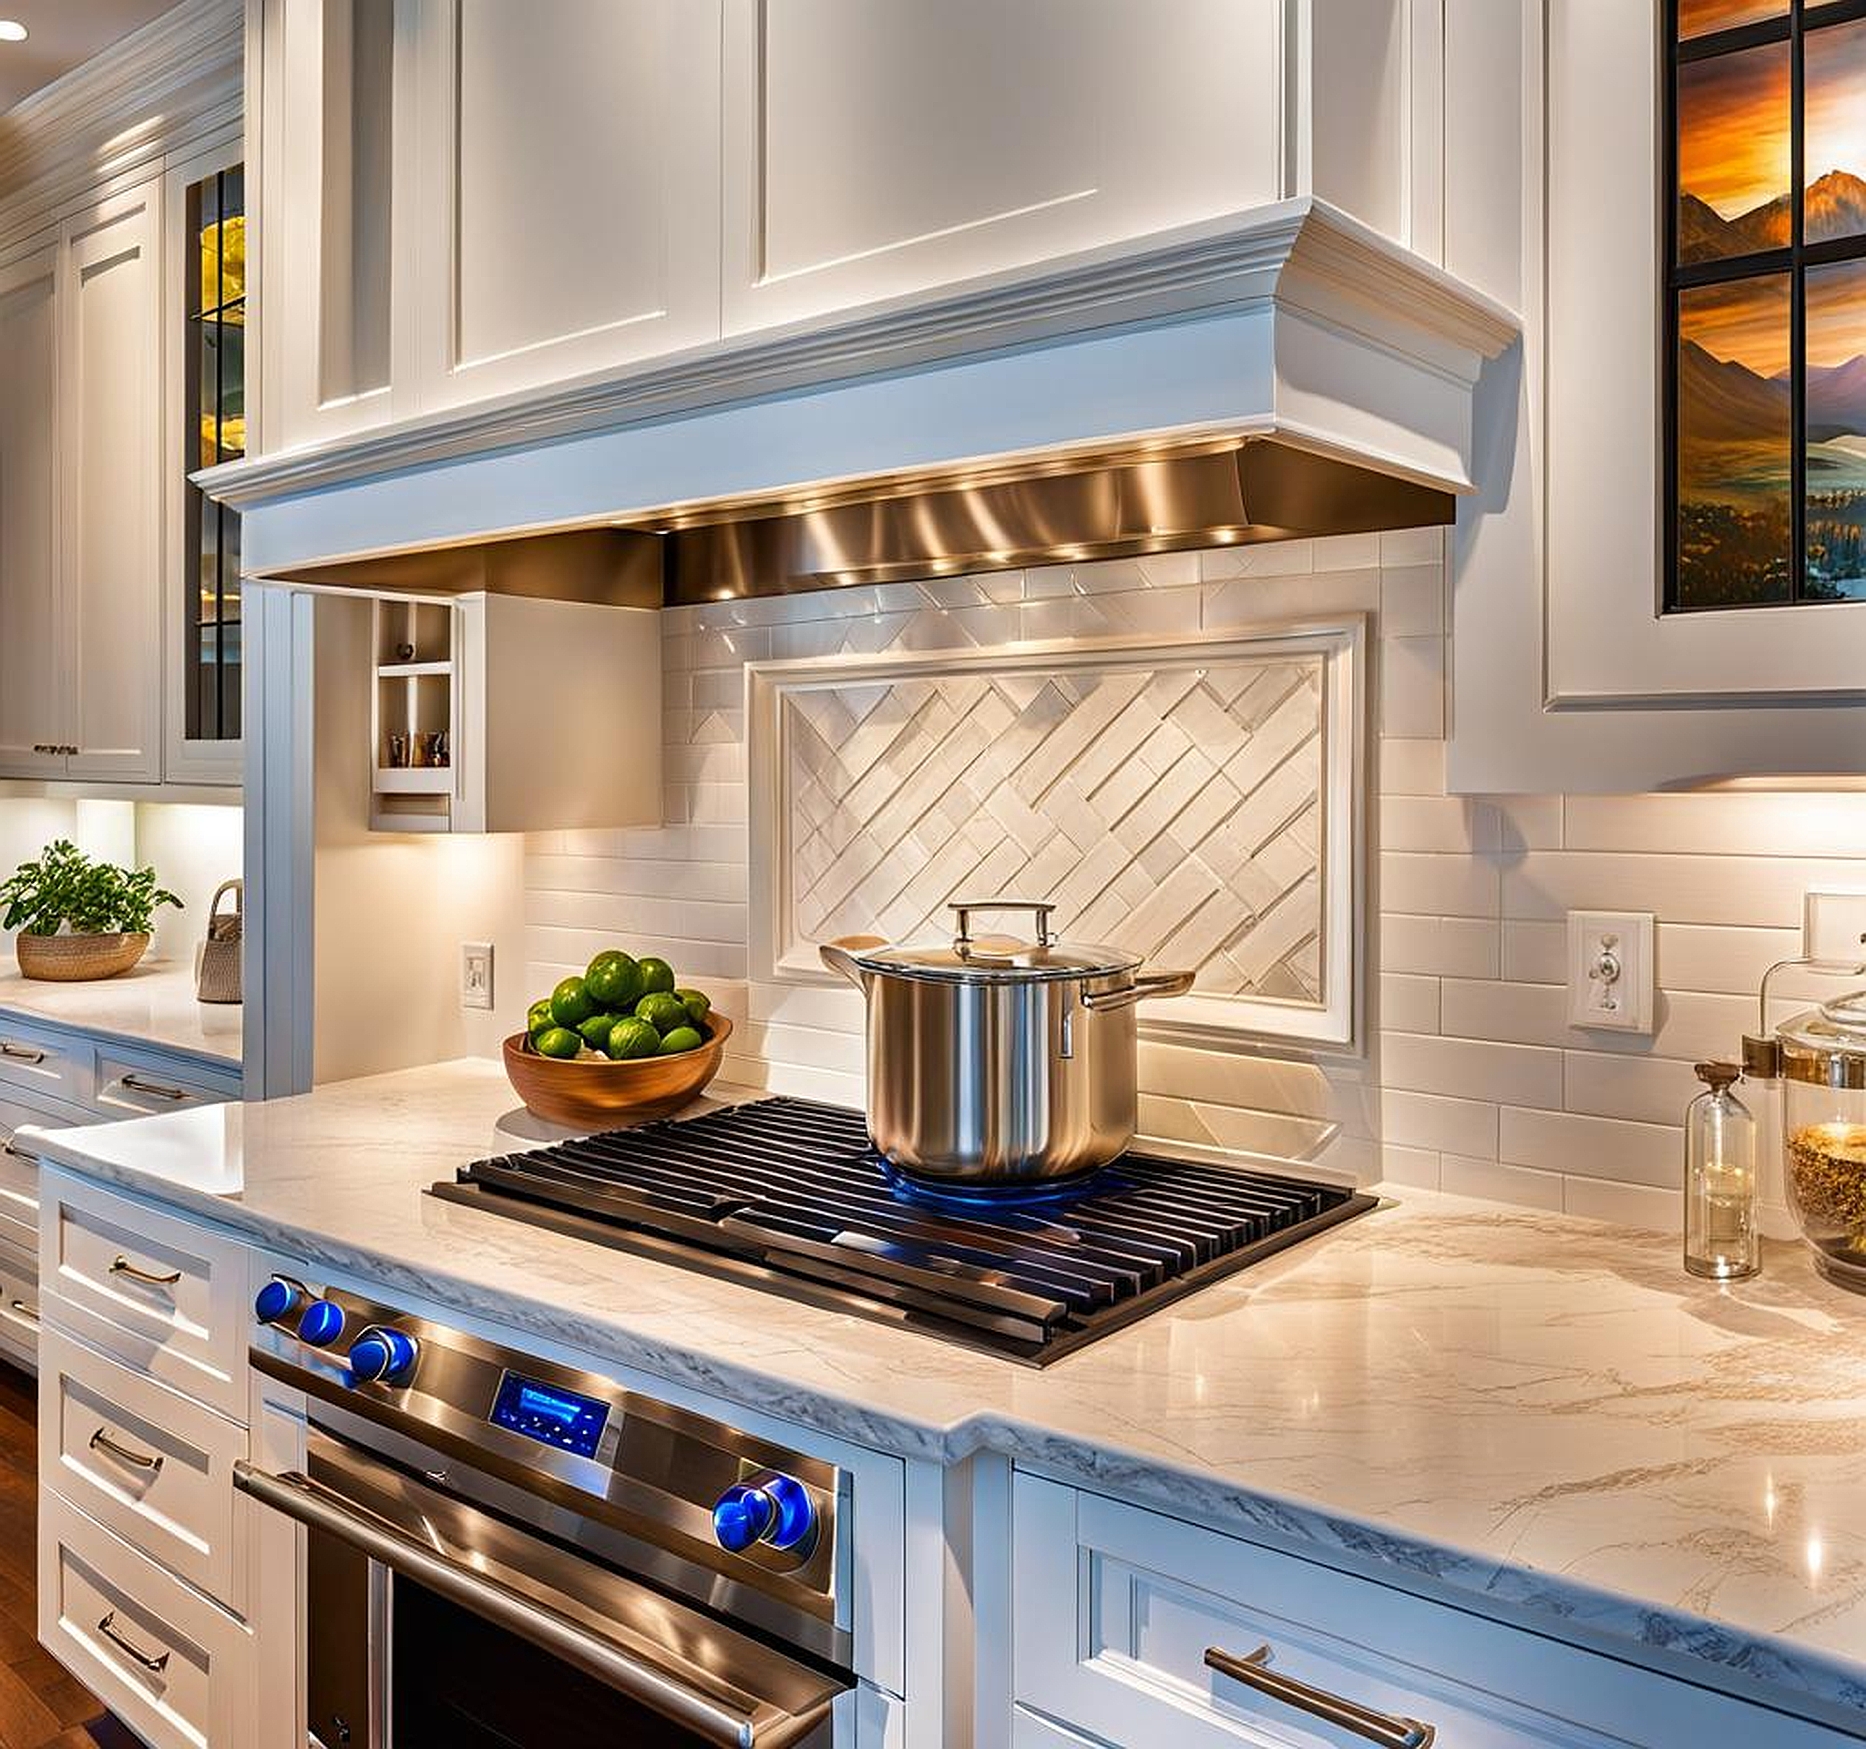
{"x": 1706, "y": 354}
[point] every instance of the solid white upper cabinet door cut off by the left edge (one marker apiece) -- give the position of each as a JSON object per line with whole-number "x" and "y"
{"x": 33, "y": 654}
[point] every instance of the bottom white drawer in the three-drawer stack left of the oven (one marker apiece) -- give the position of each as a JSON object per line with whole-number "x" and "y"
{"x": 167, "y": 1662}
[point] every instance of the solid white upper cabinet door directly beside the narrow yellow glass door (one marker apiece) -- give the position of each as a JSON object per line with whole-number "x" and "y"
{"x": 111, "y": 434}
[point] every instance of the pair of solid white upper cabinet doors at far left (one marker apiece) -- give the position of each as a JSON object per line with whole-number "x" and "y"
{"x": 81, "y": 537}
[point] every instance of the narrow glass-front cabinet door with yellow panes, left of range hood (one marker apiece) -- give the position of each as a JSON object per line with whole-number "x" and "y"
{"x": 208, "y": 266}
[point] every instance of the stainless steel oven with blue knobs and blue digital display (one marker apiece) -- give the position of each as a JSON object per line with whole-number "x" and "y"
{"x": 503, "y": 1552}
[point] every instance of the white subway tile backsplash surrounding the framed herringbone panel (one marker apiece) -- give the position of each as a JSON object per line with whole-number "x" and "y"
{"x": 1475, "y": 1082}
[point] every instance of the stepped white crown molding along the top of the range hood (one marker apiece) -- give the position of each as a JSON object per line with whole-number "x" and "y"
{"x": 1298, "y": 257}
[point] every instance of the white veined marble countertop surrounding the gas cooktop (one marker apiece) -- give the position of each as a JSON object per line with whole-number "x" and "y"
{"x": 1539, "y": 1412}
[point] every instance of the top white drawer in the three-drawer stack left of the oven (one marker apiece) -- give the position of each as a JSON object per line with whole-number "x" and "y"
{"x": 158, "y": 1293}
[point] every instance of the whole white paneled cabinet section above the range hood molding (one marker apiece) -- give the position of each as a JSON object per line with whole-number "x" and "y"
{"x": 475, "y": 201}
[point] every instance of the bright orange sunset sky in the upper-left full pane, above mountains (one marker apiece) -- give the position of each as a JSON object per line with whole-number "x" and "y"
{"x": 1734, "y": 130}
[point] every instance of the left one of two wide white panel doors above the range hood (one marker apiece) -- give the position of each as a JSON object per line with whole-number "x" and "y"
{"x": 568, "y": 206}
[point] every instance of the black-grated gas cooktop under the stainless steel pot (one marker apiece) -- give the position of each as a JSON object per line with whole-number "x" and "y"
{"x": 790, "y": 1196}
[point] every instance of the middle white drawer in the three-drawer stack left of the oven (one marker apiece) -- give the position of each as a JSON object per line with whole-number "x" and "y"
{"x": 143, "y": 1461}
